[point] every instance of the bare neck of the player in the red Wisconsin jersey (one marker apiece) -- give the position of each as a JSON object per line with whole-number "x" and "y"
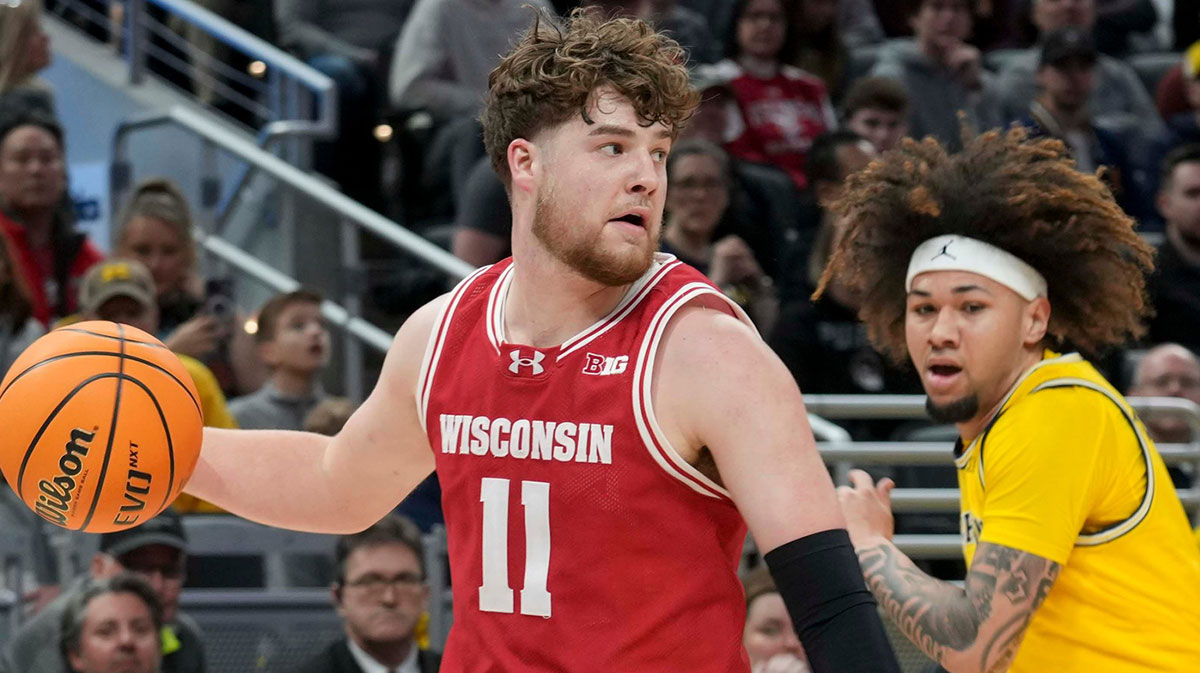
{"x": 549, "y": 304}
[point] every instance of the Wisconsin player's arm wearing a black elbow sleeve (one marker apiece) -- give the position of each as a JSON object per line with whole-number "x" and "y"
{"x": 721, "y": 388}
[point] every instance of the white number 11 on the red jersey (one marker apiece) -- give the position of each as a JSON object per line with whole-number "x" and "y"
{"x": 496, "y": 596}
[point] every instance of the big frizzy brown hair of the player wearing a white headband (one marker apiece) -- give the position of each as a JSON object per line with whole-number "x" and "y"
{"x": 1019, "y": 195}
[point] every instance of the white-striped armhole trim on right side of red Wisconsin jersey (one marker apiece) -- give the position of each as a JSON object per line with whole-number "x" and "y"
{"x": 653, "y": 437}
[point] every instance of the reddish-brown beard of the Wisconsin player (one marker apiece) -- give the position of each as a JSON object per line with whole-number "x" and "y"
{"x": 583, "y": 249}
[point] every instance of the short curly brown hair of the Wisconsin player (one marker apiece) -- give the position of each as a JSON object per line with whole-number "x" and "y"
{"x": 553, "y": 73}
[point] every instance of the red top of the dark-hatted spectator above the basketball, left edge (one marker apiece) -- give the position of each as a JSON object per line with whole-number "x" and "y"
{"x": 38, "y": 267}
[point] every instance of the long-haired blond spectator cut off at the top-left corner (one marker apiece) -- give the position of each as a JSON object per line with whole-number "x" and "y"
{"x": 25, "y": 52}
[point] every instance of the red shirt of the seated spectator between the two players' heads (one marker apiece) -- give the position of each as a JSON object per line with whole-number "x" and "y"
{"x": 781, "y": 118}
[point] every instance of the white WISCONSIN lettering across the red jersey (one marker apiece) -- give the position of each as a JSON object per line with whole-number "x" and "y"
{"x": 527, "y": 440}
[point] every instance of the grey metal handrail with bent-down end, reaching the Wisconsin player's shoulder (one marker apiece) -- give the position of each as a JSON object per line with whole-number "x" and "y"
{"x": 314, "y": 189}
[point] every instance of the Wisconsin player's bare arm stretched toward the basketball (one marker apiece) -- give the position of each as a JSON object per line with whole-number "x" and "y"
{"x": 307, "y": 482}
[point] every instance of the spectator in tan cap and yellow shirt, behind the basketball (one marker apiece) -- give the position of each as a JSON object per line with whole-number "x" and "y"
{"x": 123, "y": 291}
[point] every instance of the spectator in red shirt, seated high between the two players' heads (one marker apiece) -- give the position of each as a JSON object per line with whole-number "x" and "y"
{"x": 783, "y": 109}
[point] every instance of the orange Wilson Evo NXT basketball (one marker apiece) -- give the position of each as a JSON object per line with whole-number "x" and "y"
{"x": 100, "y": 426}
